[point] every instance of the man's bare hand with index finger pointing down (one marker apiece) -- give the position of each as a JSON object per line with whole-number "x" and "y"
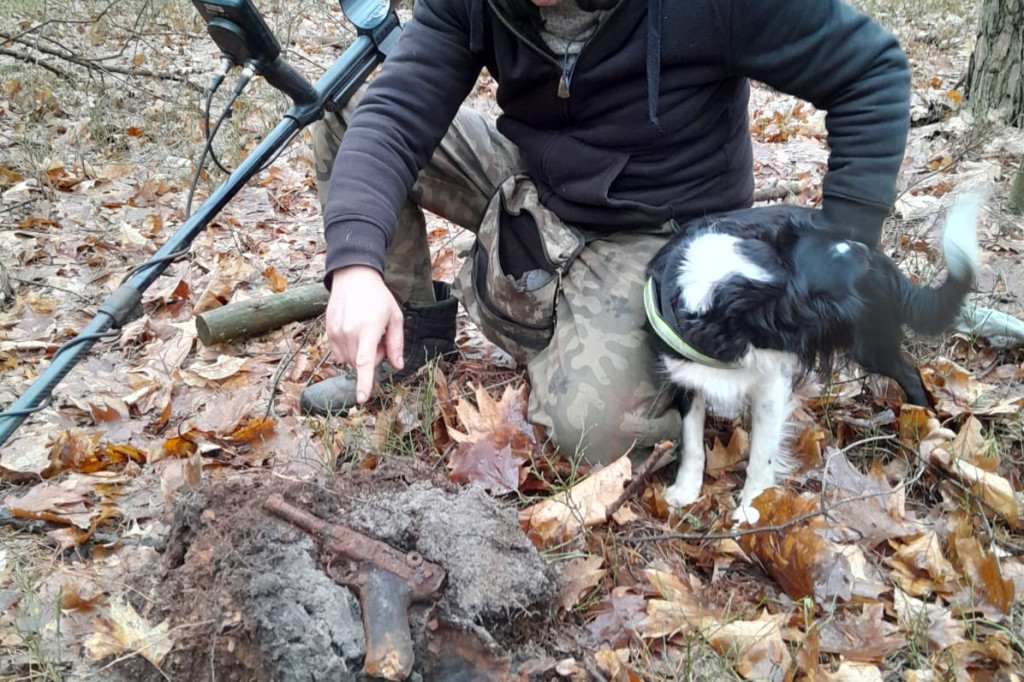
{"x": 364, "y": 324}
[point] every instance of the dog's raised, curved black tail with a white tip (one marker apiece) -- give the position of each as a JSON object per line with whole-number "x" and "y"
{"x": 930, "y": 311}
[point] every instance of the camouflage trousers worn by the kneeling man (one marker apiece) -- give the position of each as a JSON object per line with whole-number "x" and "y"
{"x": 568, "y": 305}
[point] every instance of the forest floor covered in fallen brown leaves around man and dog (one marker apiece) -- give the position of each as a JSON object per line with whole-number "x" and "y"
{"x": 134, "y": 540}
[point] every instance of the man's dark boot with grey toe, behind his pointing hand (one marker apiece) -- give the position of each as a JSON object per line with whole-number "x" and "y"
{"x": 430, "y": 333}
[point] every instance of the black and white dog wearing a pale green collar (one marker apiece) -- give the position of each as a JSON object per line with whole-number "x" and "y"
{"x": 746, "y": 305}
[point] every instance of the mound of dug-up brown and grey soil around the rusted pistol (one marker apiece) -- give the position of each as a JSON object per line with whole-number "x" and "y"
{"x": 248, "y": 600}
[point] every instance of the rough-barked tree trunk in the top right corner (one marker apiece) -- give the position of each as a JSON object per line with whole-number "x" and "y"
{"x": 996, "y": 75}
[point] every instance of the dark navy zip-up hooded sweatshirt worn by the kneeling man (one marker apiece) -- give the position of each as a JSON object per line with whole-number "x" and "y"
{"x": 656, "y": 122}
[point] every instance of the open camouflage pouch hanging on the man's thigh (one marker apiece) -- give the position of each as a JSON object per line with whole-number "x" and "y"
{"x": 510, "y": 281}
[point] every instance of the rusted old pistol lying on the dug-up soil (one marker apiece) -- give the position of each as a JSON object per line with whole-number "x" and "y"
{"x": 388, "y": 582}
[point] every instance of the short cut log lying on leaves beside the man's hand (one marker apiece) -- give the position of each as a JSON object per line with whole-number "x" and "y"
{"x": 247, "y": 319}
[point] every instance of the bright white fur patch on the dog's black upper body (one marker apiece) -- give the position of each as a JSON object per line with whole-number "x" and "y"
{"x": 711, "y": 260}
